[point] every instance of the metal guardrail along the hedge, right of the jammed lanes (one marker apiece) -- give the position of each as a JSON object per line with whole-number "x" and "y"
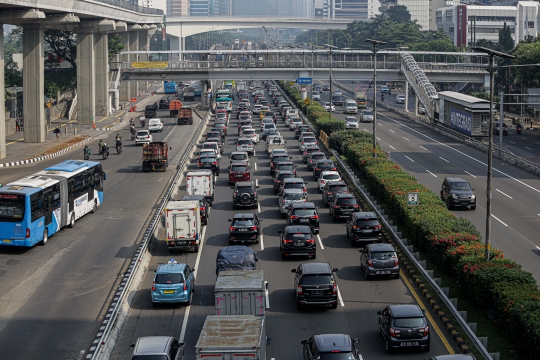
{"x": 463, "y": 323}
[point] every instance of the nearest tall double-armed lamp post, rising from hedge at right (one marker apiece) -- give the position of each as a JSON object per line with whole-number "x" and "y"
{"x": 492, "y": 54}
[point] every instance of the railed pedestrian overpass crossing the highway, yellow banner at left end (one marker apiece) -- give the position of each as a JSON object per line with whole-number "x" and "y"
{"x": 358, "y": 65}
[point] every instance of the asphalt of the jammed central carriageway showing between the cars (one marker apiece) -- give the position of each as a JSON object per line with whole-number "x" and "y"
{"x": 358, "y": 299}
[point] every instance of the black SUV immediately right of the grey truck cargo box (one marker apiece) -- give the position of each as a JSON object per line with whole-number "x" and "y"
{"x": 315, "y": 285}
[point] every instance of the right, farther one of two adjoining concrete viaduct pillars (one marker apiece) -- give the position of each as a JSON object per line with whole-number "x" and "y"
{"x": 103, "y": 104}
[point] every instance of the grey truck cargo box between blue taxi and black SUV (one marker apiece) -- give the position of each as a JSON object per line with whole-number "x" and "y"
{"x": 240, "y": 292}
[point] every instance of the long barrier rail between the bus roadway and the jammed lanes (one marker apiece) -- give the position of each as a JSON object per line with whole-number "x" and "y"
{"x": 96, "y": 351}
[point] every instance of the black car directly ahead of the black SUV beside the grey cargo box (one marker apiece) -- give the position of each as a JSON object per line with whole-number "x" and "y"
{"x": 297, "y": 240}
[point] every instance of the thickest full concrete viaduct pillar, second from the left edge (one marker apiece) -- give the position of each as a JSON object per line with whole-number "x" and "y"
{"x": 33, "y": 84}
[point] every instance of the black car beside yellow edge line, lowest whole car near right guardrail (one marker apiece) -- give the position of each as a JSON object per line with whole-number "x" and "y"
{"x": 404, "y": 326}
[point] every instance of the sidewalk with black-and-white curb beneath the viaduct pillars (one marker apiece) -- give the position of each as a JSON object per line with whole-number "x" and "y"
{"x": 20, "y": 153}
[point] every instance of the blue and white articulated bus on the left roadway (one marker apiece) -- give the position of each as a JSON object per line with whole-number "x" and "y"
{"x": 37, "y": 206}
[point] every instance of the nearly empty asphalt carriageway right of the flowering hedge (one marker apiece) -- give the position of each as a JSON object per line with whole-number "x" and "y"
{"x": 430, "y": 157}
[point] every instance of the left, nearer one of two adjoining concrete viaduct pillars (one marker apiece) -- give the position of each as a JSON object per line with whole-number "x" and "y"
{"x": 86, "y": 76}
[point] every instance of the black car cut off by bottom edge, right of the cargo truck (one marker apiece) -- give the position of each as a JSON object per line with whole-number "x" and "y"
{"x": 330, "y": 346}
